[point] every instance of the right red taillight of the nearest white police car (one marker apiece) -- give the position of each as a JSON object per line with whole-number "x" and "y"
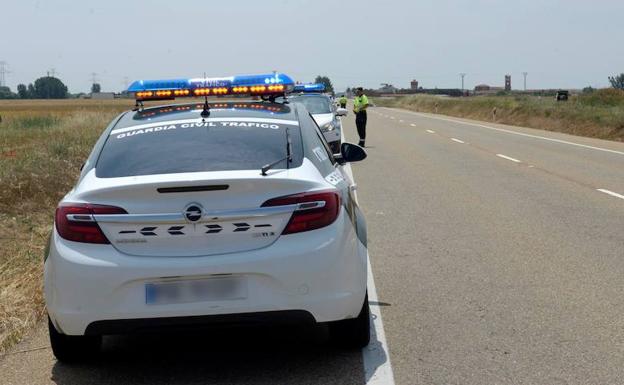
{"x": 316, "y": 210}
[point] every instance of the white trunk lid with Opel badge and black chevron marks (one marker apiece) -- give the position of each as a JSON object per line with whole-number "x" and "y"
{"x": 193, "y": 214}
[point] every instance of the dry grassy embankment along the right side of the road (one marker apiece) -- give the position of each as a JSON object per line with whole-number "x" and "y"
{"x": 594, "y": 113}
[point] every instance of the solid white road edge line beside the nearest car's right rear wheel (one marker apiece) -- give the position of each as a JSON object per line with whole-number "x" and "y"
{"x": 377, "y": 366}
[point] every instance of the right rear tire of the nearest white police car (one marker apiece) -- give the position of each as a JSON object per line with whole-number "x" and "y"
{"x": 352, "y": 333}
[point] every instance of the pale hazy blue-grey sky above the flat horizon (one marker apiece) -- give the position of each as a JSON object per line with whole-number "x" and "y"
{"x": 567, "y": 44}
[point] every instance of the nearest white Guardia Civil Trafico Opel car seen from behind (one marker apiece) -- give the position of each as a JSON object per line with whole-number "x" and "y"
{"x": 197, "y": 213}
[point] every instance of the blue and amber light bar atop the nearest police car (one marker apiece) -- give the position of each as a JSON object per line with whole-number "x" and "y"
{"x": 256, "y": 85}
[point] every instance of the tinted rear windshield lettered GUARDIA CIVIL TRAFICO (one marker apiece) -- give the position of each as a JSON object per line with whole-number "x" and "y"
{"x": 193, "y": 146}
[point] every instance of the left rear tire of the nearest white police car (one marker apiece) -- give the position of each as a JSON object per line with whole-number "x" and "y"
{"x": 72, "y": 349}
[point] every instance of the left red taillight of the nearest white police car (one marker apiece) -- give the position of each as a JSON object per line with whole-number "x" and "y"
{"x": 75, "y": 222}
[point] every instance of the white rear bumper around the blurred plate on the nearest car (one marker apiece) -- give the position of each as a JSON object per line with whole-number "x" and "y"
{"x": 96, "y": 288}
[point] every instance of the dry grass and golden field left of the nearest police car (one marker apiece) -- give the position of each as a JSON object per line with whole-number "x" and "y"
{"x": 42, "y": 145}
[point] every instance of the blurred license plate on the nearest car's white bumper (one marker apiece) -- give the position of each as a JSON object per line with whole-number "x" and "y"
{"x": 197, "y": 290}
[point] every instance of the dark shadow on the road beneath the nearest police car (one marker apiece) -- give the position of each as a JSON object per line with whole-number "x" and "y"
{"x": 258, "y": 355}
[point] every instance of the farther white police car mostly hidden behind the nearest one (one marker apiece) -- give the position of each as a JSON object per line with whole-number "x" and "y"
{"x": 323, "y": 110}
